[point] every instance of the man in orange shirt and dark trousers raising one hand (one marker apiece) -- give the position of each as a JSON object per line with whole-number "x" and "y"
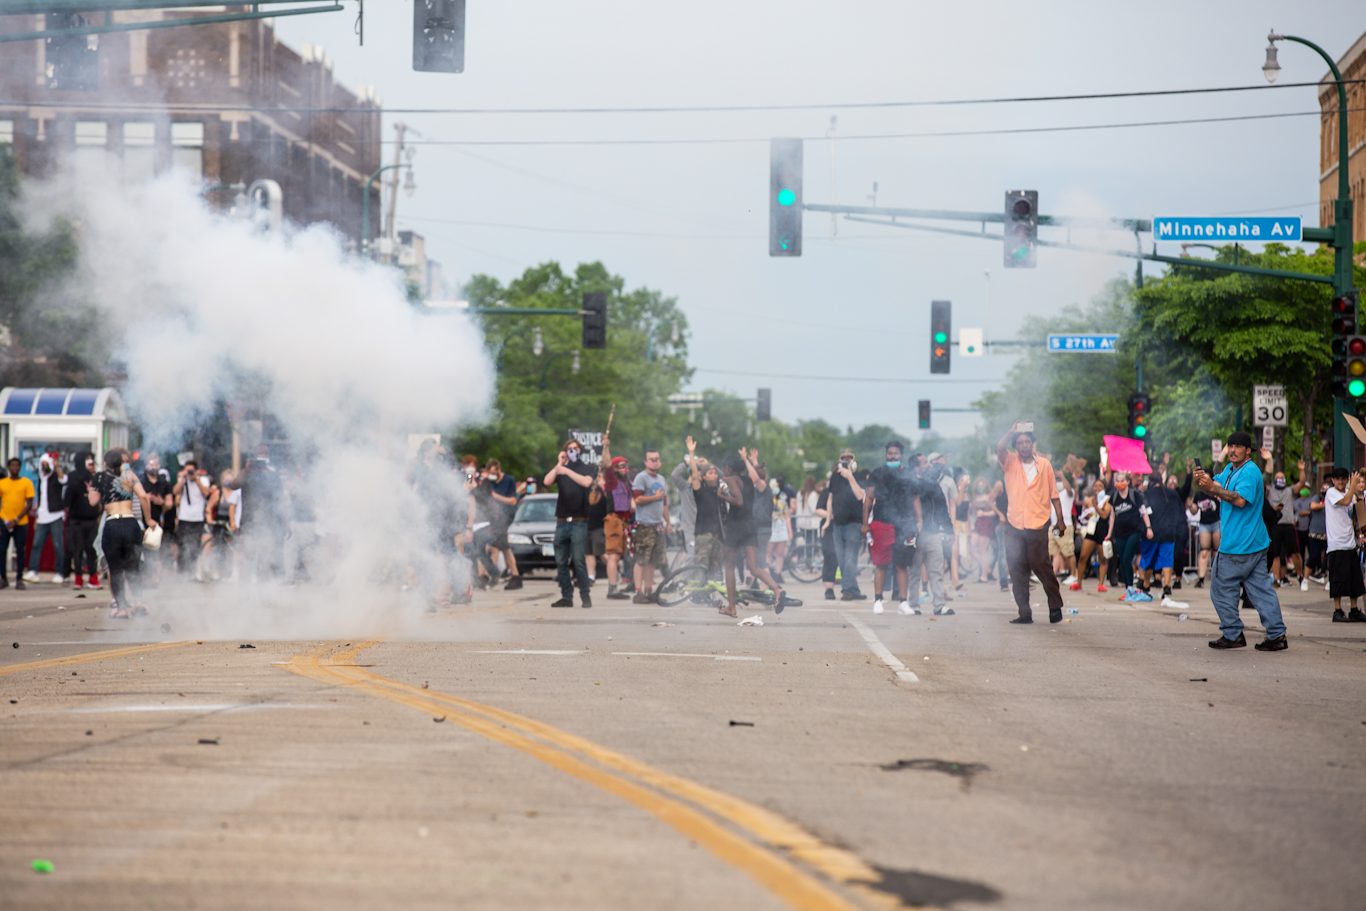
{"x": 1032, "y": 494}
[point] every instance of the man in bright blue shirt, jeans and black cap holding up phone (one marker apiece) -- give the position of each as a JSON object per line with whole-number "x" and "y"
{"x": 1241, "y": 562}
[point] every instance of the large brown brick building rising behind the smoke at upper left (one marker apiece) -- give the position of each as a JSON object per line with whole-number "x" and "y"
{"x": 225, "y": 102}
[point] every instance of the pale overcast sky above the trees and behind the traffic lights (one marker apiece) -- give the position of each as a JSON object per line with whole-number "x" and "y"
{"x": 692, "y": 219}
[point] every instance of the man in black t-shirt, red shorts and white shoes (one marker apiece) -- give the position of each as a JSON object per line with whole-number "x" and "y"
{"x": 893, "y": 517}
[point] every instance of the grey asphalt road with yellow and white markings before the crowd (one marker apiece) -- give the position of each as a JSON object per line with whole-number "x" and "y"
{"x": 514, "y": 756}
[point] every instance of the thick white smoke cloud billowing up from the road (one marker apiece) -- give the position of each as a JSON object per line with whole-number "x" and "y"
{"x": 197, "y": 303}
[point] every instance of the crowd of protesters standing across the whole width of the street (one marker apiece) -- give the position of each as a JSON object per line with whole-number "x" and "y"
{"x": 927, "y": 528}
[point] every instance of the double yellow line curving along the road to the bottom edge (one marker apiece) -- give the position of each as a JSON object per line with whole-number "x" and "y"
{"x": 777, "y": 853}
